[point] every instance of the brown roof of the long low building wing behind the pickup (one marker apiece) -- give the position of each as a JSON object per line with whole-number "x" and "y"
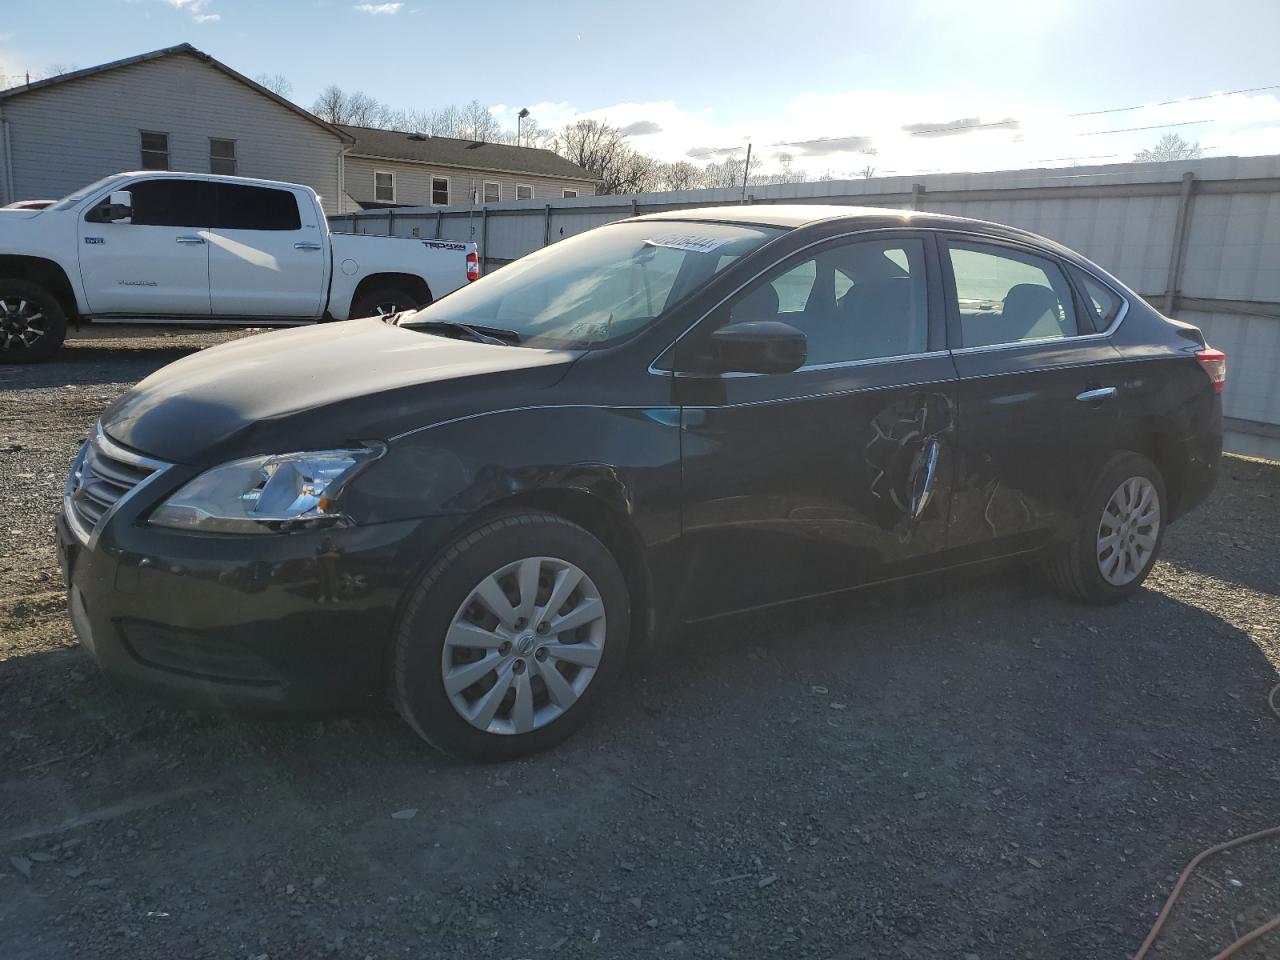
{"x": 449, "y": 152}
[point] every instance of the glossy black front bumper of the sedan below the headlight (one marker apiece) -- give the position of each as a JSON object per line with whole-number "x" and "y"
{"x": 285, "y": 623}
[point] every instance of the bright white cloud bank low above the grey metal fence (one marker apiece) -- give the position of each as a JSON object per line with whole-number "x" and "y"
{"x": 833, "y": 134}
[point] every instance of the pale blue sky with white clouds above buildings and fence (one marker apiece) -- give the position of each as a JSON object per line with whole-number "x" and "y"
{"x": 927, "y": 85}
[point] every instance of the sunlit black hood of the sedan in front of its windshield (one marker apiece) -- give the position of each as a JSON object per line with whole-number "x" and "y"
{"x": 322, "y": 387}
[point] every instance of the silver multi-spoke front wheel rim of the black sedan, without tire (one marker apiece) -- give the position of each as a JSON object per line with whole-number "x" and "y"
{"x": 524, "y": 646}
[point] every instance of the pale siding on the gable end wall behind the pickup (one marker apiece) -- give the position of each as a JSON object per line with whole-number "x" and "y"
{"x": 76, "y": 132}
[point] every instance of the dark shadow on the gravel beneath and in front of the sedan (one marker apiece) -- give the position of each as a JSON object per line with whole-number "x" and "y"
{"x": 944, "y": 757}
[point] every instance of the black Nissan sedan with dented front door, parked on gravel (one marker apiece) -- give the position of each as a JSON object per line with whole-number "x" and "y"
{"x": 481, "y": 506}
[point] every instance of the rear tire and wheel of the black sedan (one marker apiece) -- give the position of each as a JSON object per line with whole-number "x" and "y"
{"x": 1084, "y": 569}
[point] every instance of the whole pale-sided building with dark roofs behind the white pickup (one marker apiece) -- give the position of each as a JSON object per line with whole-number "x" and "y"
{"x": 180, "y": 109}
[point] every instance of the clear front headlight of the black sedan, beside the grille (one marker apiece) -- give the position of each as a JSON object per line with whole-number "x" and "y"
{"x": 266, "y": 495}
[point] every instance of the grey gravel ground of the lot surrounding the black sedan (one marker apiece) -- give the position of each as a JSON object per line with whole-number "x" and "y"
{"x": 964, "y": 767}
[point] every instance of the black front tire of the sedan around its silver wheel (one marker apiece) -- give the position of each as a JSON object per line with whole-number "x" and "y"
{"x": 446, "y": 602}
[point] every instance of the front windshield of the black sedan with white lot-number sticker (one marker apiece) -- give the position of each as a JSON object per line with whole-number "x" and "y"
{"x": 597, "y": 287}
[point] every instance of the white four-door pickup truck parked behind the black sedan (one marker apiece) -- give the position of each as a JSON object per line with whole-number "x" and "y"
{"x": 202, "y": 249}
